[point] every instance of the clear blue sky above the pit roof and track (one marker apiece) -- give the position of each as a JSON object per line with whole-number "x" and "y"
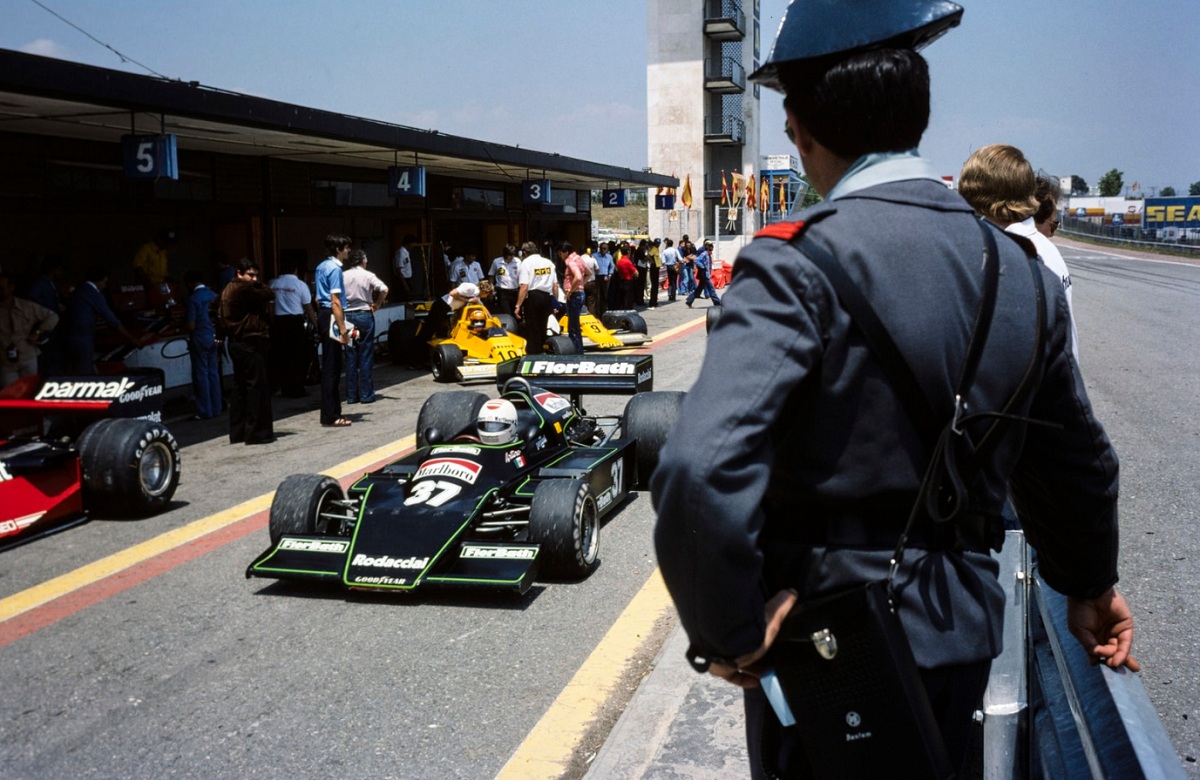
{"x": 1081, "y": 86}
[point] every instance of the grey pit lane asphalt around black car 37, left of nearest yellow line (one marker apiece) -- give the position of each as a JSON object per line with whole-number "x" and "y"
{"x": 178, "y": 667}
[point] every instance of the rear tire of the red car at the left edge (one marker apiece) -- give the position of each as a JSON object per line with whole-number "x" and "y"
{"x": 130, "y": 467}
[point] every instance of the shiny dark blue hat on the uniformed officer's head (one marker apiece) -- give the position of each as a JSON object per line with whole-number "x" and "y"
{"x": 818, "y": 29}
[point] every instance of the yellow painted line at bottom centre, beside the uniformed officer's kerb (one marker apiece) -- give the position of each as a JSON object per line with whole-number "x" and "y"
{"x": 550, "y": 747}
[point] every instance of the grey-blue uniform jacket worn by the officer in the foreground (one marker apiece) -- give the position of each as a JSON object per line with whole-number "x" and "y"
{"x": 806, "y": 425}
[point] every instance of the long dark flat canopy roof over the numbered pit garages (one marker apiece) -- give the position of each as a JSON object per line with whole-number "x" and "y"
{"x": 45, "y": 97}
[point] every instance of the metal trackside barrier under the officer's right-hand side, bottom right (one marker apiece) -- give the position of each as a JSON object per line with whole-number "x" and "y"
{"x": 1048, "y": 712}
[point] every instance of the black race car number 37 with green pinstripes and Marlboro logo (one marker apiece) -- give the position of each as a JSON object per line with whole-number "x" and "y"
{"x": 459, "y": 512}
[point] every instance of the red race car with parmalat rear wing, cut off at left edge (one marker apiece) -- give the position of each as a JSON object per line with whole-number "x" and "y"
{"x": 77, "y": 446}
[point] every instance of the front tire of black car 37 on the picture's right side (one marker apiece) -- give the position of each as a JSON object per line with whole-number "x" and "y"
{"x": 563, "y": 519}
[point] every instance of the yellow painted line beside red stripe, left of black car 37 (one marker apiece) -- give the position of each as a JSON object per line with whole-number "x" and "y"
{"x": 58, "y": 587}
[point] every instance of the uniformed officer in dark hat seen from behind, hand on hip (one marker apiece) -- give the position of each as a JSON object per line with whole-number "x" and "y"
{"x": 803, "y": 488}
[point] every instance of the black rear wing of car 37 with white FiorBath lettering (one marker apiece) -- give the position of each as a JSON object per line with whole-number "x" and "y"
{"x": 578, "y": 375}
